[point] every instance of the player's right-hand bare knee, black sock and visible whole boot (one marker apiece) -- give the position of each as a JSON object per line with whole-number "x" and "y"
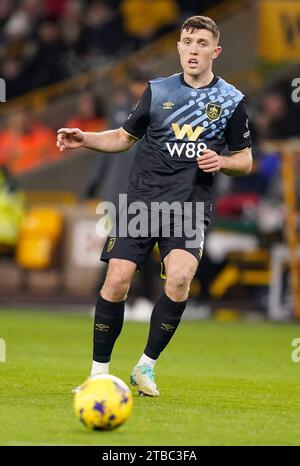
{"x": 180, "y": 268}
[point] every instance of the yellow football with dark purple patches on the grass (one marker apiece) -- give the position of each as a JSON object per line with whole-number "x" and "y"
{"x": 103, "y": 402}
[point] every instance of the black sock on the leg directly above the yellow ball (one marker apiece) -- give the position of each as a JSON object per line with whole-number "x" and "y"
{"x": 109, "y": 317}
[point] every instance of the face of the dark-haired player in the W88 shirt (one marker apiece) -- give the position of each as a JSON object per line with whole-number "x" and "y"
{"x": 197, "y": 50}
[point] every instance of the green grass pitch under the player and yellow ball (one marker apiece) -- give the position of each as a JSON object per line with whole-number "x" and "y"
{"x": 220, "y": 383}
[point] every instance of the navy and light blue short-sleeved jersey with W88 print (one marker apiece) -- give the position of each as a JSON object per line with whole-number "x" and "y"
{"x": 175, "y": 123}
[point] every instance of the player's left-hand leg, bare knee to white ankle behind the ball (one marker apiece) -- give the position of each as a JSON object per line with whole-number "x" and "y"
{"x": 109, "y": 313}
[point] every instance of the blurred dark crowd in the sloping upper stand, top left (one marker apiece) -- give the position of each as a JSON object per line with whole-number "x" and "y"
{"x": 45, "y": 41}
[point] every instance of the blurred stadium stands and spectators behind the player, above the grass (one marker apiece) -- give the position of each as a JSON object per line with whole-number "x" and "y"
{"x": 85, "y": 64}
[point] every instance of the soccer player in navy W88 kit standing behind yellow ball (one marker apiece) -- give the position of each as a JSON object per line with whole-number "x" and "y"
{"x": 184, "y": 121}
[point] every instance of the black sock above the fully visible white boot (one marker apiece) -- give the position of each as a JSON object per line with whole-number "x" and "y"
{"x": 164, "y": 321}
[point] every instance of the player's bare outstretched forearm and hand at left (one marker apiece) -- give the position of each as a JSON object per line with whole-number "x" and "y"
{"x": 116, "y": 140}
